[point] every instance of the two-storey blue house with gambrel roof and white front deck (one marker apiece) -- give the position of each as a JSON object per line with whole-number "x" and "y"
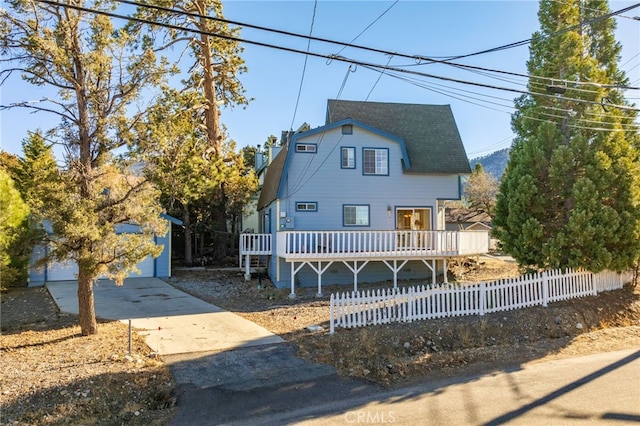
{"x": 360, "y": 199}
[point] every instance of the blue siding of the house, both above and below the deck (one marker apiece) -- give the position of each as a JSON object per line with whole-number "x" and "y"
{"x": 320, "y": 178}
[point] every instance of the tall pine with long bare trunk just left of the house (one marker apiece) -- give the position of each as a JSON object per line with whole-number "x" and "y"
{"x": 213, "y": 73}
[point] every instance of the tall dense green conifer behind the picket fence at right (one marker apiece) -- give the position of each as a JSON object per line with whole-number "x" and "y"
{"x": 570, "y": 196}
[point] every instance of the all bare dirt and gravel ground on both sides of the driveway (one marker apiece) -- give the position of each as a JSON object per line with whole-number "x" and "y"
{"x": 53, "y": 375}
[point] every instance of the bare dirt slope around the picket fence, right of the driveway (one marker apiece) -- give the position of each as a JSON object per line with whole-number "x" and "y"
{"x": 396, "y": 354}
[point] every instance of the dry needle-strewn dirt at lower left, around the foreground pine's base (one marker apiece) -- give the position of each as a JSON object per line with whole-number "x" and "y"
{"x": 53, "y": 375}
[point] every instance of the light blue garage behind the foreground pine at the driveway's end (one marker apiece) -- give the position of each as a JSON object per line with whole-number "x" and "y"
{"x": 68, "y": 271}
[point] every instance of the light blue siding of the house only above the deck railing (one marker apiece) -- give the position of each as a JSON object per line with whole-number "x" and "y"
{"x": 319, "y": 178}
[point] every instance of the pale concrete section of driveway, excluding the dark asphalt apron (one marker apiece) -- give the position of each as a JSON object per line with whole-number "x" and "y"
{"x": 173, "y": 322}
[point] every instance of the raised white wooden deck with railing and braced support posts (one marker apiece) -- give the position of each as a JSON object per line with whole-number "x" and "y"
{"x": 355, "y": 249}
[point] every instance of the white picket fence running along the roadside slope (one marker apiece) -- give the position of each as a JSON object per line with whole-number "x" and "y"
{"x": 381, "y": 306}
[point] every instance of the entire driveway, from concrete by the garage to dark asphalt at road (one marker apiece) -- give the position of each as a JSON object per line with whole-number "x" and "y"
{"x": 225, "y": 367}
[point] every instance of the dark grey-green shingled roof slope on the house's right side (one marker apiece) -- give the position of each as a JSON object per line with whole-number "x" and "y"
{"x": 430, "y": 132}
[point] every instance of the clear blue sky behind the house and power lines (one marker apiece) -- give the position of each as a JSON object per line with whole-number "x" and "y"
{"x": 426, "y": 28}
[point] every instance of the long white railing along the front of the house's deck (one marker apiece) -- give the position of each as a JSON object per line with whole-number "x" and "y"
{"x": 357, "y": 244}
